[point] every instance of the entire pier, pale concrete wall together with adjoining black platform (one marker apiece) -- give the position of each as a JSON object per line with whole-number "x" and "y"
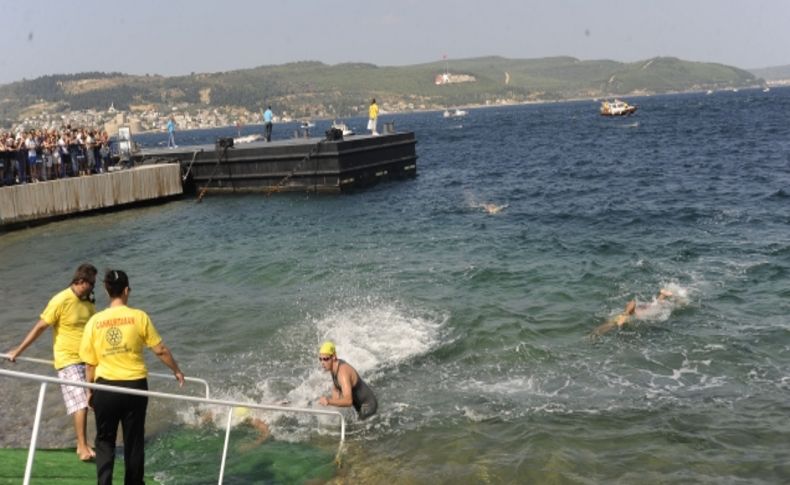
{"x": 330, "y": 164}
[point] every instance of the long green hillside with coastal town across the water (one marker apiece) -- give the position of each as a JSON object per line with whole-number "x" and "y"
{"x": 316, "y": 89}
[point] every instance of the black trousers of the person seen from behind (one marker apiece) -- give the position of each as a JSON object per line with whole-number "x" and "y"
{"x": 111, "y": 408}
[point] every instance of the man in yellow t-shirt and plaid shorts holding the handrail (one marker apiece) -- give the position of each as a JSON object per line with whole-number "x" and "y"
{"x": 67, "y": 313}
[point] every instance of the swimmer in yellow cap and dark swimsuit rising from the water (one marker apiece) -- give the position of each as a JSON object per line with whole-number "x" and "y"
{"x": 348, "y": 387}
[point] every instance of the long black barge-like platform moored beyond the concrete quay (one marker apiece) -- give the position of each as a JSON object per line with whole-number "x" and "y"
{"x": 329, "y": 164}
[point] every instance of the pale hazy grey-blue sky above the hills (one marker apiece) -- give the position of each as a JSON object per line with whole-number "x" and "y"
{"x": 178, "y": 37}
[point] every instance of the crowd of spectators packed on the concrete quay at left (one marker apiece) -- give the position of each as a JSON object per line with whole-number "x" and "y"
{"x": 38, "y": 155}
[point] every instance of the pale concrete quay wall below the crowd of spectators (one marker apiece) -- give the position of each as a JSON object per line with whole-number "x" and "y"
{"x": 33, "y": 203}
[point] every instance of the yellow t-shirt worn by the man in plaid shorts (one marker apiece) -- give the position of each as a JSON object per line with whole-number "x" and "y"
{"x": 67, "y": 315}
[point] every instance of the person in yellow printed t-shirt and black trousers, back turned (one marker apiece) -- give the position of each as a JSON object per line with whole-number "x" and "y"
{"x": 112, "y": 349}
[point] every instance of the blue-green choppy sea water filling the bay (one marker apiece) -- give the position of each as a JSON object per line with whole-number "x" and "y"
{"x": 473, "y": 328}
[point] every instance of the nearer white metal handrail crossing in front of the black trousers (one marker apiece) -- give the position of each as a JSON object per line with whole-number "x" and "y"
{"x": 123, "y": 390}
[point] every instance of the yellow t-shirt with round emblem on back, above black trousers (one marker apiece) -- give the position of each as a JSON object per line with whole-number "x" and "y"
{"x": 113, "y": 342}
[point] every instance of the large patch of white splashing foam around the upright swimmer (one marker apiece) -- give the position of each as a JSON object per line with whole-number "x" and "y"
{"x": 371, "y": 335}
